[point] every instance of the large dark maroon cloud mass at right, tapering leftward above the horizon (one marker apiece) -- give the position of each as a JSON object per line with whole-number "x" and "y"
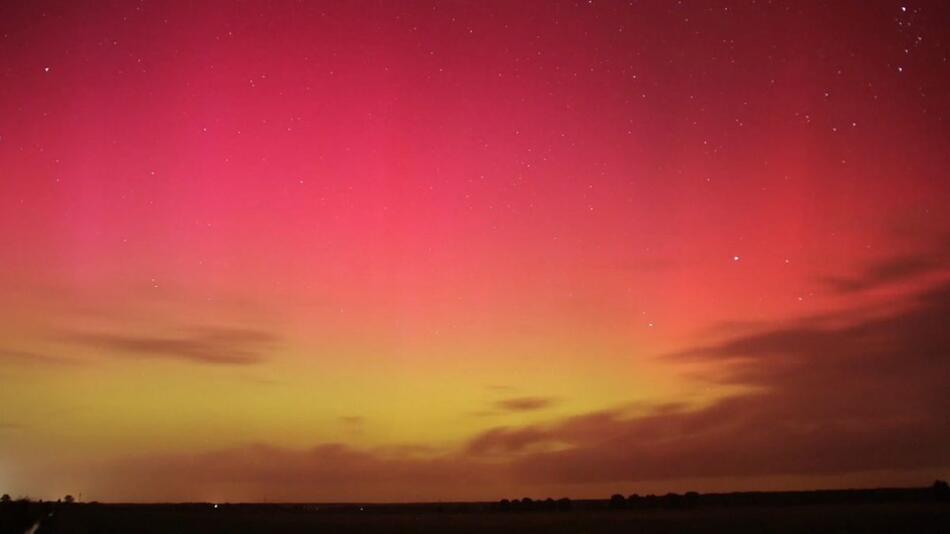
{"x": 830, "y": 398}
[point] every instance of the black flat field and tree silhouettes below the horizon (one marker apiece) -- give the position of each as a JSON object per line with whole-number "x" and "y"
{"x": 586, "y": 517}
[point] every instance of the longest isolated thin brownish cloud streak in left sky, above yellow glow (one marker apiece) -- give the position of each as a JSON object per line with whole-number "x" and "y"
{"x": 206, "y": 345}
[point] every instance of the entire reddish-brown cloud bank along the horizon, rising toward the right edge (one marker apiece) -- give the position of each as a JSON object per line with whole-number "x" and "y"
{"x": 825, "y": 399}
